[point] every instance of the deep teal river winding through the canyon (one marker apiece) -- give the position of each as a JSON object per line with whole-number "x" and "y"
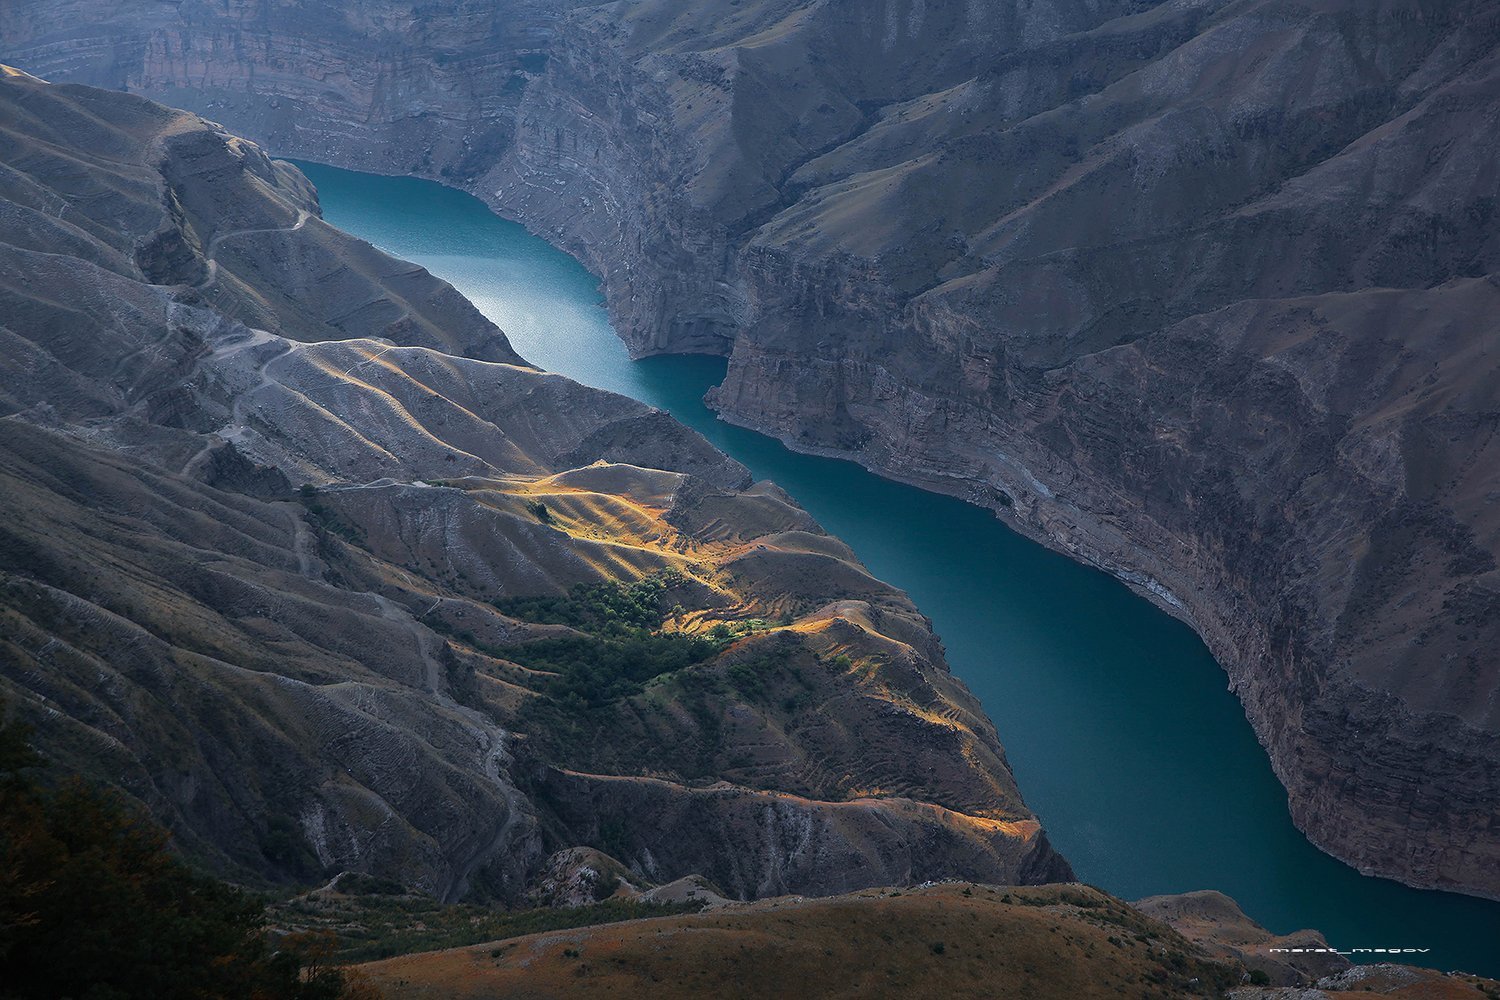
{"x": 1115, "y": 717}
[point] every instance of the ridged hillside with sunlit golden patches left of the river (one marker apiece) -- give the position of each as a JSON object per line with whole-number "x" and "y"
{"x": 370, "y": 672}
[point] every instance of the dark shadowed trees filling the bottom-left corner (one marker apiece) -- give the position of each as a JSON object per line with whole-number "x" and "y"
{"x": 94, "y": 906}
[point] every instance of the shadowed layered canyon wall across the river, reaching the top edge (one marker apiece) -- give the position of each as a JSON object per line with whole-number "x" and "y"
{"x": 1202, "y": 293}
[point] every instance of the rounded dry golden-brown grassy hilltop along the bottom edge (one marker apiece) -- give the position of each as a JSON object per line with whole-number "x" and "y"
{"x": 947, "y": 941}
